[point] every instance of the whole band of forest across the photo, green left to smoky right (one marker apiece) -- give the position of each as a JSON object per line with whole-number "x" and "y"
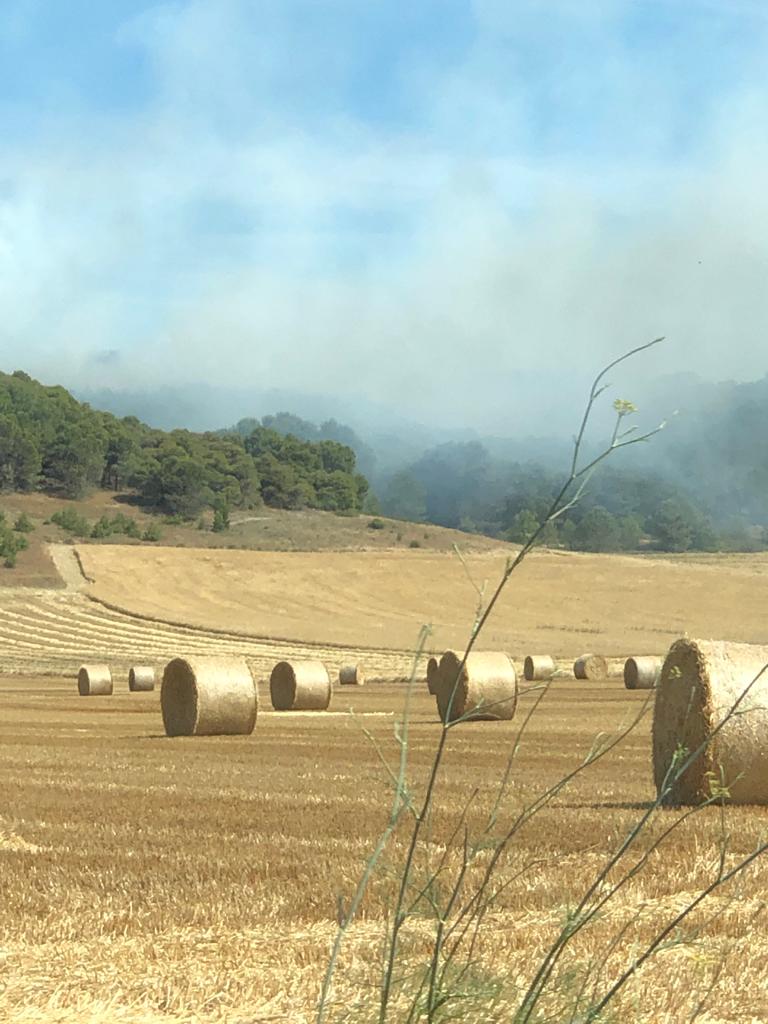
{"x": 703, "y": 485}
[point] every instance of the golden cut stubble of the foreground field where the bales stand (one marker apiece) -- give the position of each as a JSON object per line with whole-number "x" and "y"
{"x": 150, "y": 880}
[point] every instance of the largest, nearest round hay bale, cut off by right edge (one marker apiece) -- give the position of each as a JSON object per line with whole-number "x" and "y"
{"x": 701, "y": 682}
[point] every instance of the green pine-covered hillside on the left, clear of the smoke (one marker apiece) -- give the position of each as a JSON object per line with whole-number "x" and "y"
{"x": 51, "y": 442}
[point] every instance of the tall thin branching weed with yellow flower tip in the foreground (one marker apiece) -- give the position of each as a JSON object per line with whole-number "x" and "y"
{"x": 457, "y": 898}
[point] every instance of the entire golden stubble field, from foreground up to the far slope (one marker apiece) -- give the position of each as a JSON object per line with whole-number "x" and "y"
{"x": 149, "y": 880}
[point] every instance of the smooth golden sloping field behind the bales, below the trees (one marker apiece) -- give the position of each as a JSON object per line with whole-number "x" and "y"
{"x": 560, "y": 603}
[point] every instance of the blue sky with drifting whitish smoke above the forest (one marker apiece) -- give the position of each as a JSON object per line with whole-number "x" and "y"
{"x": 418, "y": 200}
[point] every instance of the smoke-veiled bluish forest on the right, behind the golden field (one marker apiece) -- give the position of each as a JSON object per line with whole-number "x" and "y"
{"x": 644, "y": 501}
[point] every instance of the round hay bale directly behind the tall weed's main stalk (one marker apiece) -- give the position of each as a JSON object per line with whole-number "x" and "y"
{"x": 486, "y": 692}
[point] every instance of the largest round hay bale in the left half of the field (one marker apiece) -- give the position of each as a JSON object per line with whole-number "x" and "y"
{"x": 208, "y": 697}
